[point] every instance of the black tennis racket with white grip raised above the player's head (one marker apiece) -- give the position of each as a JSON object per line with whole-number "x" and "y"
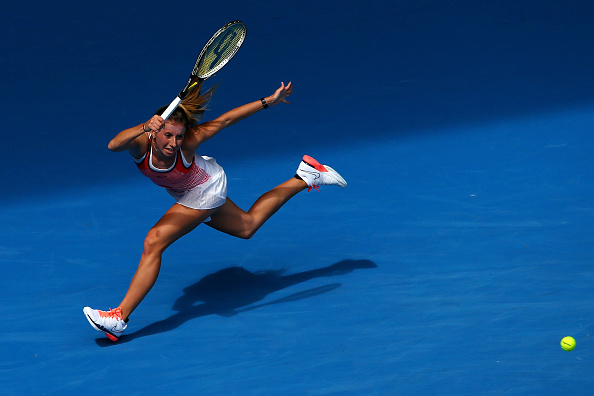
{"x": 219, "y": 50}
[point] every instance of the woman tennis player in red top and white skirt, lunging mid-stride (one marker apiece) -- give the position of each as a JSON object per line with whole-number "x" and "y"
{"x": 165, "y": 152}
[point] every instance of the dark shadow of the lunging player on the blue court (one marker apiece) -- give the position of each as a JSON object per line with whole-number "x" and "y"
{"x": 234, "y": 290}
